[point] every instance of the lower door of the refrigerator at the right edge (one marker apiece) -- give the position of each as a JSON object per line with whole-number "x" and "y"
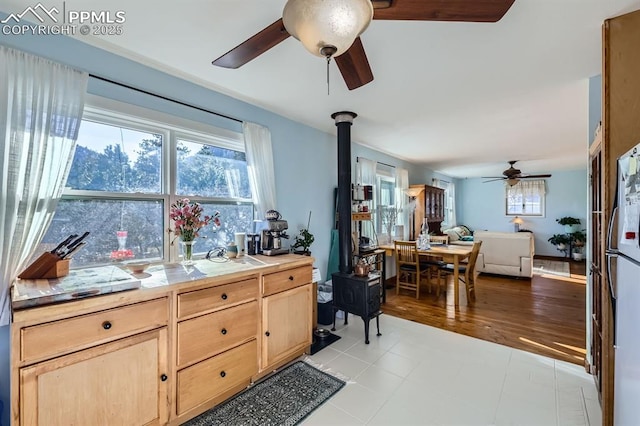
{"x": 627, "y": 344}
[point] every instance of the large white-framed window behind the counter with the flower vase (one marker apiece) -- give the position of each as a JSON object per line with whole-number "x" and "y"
{"x": 127, "y": 171}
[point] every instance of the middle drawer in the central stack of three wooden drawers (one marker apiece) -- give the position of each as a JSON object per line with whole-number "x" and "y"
{"x": 210, "y": 334}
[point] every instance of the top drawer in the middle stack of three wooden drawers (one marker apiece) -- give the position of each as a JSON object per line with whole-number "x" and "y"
{"x": 207, "y": 299}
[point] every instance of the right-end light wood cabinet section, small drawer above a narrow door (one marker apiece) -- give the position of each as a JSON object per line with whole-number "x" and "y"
{"x": 286, "y": 316}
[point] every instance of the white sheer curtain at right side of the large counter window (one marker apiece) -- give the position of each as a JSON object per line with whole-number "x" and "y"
{"x": 257, "y": 141}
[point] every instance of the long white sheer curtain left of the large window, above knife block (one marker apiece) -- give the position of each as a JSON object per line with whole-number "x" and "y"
{"x": 41, "y": 105}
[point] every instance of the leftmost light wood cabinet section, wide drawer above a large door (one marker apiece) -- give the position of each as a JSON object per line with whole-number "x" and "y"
{"x": 124, "y": 380}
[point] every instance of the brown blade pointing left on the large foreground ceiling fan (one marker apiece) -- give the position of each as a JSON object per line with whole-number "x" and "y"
{"x": 254, "y": 46}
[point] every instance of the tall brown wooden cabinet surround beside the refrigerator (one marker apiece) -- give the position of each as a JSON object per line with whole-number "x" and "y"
{"x": 620, "y": 132}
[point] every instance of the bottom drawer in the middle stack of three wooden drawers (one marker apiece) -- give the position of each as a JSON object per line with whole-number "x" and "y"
{"x": 214, "y": 376}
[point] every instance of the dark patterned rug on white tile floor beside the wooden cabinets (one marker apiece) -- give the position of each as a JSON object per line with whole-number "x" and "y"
{"x": 285, "y": 398}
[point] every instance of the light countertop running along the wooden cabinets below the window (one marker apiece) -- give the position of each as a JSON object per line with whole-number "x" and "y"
{"x": 90, "y": 282}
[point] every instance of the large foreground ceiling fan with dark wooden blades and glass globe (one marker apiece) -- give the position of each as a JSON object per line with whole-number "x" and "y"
{"x": 352, "y": 60}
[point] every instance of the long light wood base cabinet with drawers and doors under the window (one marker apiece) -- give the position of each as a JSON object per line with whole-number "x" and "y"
{"x": 159, "y": 355}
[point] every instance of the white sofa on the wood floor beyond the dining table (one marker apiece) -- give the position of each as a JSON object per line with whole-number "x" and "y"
{"x": 505, "y": 253}
